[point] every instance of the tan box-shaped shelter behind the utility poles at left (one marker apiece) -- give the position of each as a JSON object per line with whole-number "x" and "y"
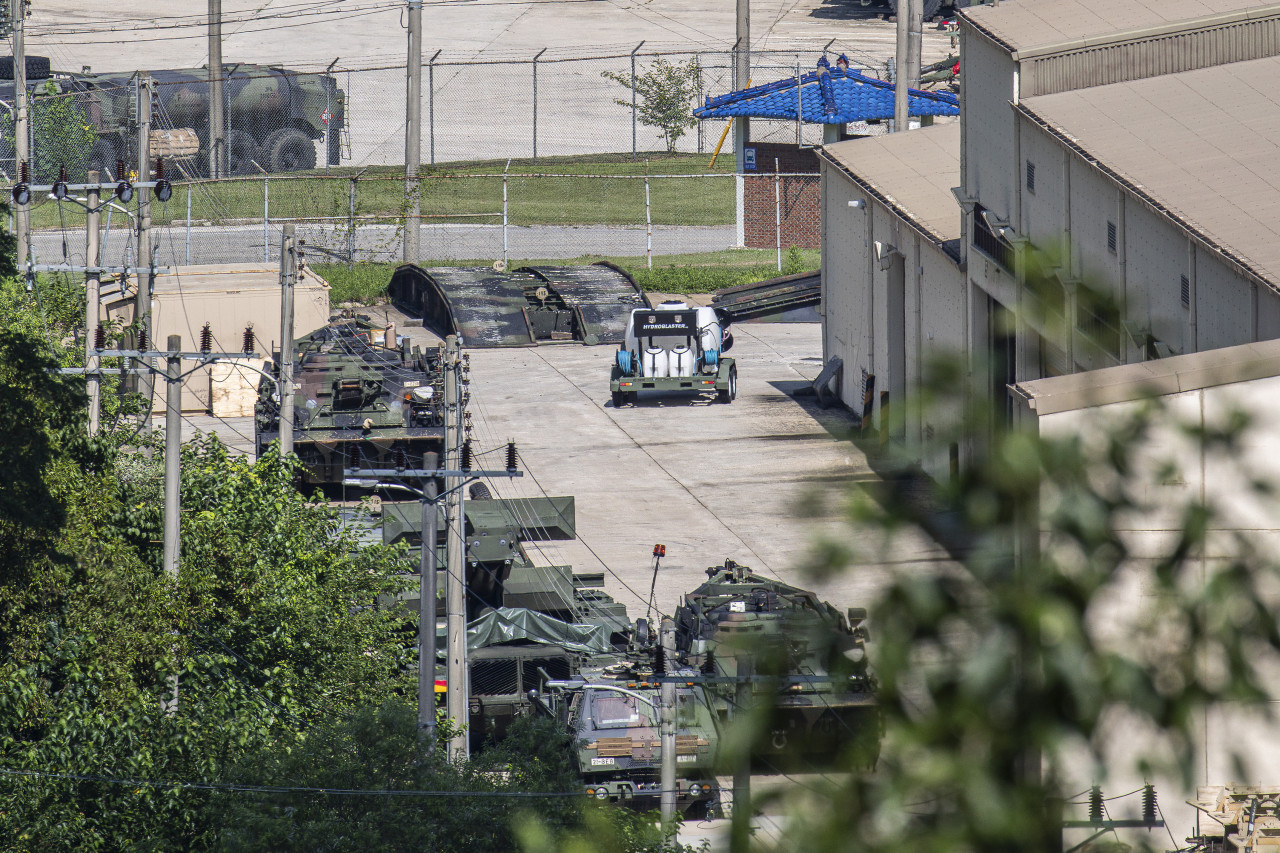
{"x": 228, "y": 298}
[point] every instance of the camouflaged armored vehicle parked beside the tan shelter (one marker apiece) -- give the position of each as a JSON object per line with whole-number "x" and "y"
{"x": 363, "y": 400}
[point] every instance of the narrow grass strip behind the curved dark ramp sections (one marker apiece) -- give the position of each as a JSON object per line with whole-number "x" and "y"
{"x": 697, "y": 273}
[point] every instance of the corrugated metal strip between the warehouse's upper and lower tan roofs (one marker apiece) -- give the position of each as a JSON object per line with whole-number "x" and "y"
{"x": 1151, "y": 57}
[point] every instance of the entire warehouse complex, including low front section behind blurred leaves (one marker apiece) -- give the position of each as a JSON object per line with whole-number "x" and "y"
{"x": 1104, "y": 225}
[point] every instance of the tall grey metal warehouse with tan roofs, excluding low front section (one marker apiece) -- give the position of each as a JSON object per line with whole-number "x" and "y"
{"x": 1131, "y": 147}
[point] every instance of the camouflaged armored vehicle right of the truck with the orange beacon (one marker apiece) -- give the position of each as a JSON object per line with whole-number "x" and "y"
{"x": 813, "y": 658}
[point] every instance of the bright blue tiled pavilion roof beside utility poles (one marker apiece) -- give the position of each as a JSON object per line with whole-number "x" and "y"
{"x": 834, "y": 97}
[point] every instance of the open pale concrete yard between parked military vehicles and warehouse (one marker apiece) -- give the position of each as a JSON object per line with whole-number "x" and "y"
{"x": 756, "y": 481}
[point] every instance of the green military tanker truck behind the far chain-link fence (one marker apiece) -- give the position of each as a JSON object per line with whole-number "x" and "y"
{"x": 275, "y": 117}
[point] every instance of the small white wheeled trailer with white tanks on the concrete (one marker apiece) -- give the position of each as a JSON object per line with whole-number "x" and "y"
{"x": 675, "y": 349}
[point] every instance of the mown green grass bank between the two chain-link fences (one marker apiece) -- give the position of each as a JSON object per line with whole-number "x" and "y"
{"x": 450, "y": 195}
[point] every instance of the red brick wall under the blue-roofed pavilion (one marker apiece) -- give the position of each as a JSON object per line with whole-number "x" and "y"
{"x": 798, "y": 212}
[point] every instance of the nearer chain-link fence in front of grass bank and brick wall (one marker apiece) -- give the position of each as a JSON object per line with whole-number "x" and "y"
{"x": 478, "y": 218}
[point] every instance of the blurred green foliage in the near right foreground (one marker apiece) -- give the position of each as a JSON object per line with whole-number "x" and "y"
{"x": 1011, "y": 665}
